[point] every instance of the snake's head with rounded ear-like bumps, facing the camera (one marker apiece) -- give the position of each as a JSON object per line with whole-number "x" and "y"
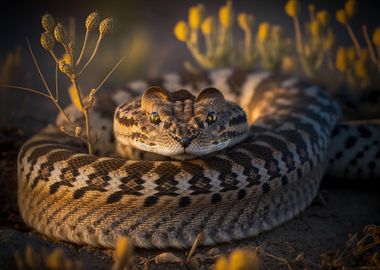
{"x": 178, "y": 124}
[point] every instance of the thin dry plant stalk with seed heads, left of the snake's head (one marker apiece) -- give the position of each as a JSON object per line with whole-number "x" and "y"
{"x": 72, "y": 69}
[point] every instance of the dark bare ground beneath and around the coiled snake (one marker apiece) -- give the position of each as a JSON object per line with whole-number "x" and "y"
{"x": 339, "y": 211}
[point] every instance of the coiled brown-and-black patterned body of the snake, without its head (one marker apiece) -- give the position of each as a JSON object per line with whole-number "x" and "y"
{"x": 232, "y": 194}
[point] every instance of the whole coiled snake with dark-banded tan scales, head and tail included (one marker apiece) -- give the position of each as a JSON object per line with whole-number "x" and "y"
{"x": 266, "y": 179}
